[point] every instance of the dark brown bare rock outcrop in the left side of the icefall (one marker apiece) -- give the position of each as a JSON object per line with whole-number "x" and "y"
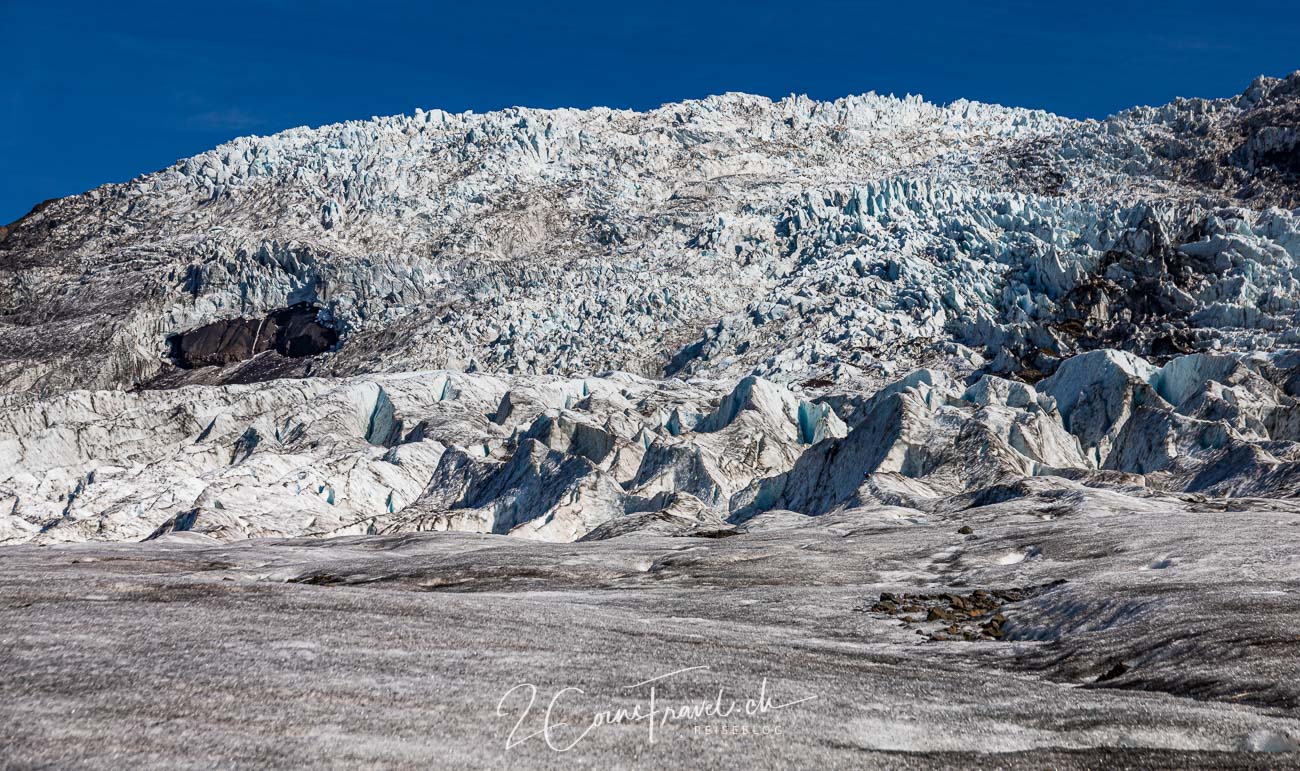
{"x": 294, "y": 332}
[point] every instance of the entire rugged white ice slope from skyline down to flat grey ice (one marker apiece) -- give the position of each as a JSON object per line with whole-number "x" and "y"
{"x": 566, "y": 324}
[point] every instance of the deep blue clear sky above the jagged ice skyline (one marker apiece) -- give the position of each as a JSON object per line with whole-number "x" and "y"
{"x": 103, "y": 92}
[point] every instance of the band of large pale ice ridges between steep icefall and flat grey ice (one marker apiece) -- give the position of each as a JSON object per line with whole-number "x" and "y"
{"x": 560, "y": 460}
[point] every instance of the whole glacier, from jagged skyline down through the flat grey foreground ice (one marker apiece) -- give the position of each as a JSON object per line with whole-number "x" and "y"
{"x": 782, "y": 387}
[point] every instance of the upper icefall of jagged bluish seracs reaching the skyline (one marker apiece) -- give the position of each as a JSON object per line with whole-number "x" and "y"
{"x": 716, "y": 239}
